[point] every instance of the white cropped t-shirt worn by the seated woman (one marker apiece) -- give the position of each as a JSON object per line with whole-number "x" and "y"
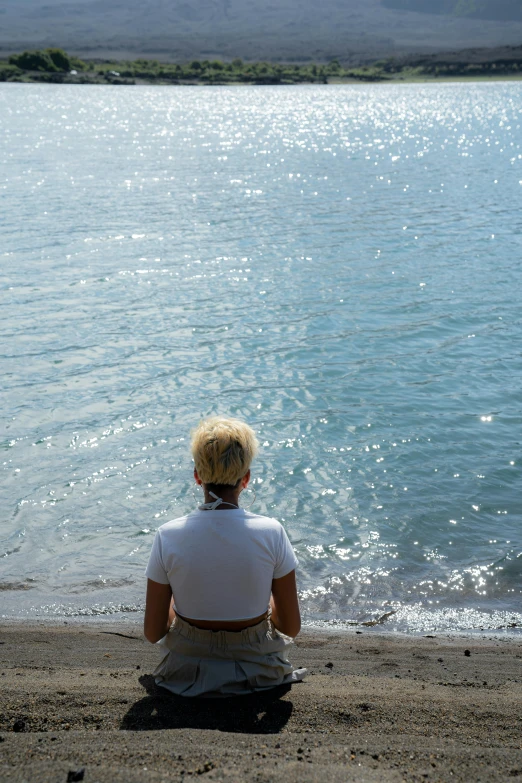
{"x": 220, "y": 564}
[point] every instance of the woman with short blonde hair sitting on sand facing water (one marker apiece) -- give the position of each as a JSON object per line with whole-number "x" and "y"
{"x": 221, "y": 591}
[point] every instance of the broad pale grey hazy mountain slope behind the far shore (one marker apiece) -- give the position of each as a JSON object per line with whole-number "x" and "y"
{"x": 257, "y": 29}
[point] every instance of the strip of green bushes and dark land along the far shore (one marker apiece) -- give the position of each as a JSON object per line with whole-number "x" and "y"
{"x": 55, "y": 65}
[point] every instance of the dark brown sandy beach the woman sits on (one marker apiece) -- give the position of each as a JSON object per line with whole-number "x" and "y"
{"x": 373, "y": 708}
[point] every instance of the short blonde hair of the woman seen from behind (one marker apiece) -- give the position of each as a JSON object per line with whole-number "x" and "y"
{"x": 223, "y": 450}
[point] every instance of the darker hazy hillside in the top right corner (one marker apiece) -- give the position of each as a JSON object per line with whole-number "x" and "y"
{"x": 499, "y": 10}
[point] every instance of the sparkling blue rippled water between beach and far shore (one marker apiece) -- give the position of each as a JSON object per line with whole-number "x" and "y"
{"x": 338, "y": 265}
